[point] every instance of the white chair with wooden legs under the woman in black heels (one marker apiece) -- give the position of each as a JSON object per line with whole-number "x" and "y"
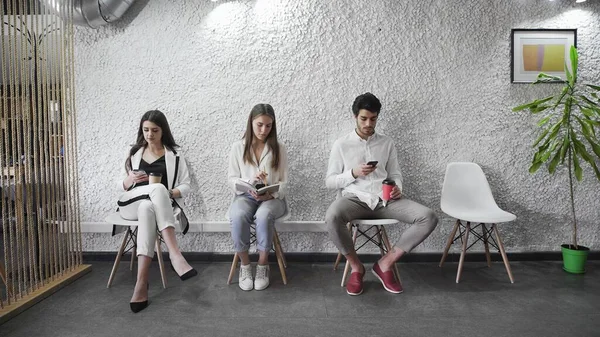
{"x": 129, "y": 243}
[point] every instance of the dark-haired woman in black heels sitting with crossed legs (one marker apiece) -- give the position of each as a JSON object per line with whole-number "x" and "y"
{"x": 158, "y": 205}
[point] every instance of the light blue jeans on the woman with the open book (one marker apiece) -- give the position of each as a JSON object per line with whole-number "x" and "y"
{"x": 244, "y": 211}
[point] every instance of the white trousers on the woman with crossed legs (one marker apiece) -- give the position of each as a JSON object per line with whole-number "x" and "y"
{"x": 151, "y": 206}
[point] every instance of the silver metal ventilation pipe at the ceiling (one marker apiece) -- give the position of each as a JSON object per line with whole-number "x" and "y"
{"x": 91, "y": 13}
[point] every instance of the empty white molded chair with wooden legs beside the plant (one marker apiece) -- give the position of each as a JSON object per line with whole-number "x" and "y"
{"x": 466, "y": 196}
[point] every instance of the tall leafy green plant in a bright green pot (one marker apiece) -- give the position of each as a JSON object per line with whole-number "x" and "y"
{"x": 568, "y": 137}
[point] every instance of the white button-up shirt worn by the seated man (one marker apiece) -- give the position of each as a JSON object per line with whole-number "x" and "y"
{"x": 351, "y": 151}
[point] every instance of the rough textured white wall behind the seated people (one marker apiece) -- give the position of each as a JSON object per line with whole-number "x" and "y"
{"x": 441, "y": 69}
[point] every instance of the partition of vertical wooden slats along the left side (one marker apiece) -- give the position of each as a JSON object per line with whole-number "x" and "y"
{"x": 40, "y": 236}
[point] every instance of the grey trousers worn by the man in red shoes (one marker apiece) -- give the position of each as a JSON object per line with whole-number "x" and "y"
{"x": 346, "y": 209}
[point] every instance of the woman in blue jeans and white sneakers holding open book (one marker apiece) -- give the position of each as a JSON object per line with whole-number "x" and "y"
{"x": 259, "y": 158}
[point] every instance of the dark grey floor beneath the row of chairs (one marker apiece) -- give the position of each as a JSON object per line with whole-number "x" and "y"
{"x": 543, "y": 301}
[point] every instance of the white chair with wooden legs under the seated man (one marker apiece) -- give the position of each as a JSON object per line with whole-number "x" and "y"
{"x": 378, "y": 237}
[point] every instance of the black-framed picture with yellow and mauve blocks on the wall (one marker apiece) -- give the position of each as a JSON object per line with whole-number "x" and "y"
{"x": 540, "y": 50}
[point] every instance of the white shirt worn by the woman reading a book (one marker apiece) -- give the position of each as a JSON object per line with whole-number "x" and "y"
{"x": 239, "y": 170}
